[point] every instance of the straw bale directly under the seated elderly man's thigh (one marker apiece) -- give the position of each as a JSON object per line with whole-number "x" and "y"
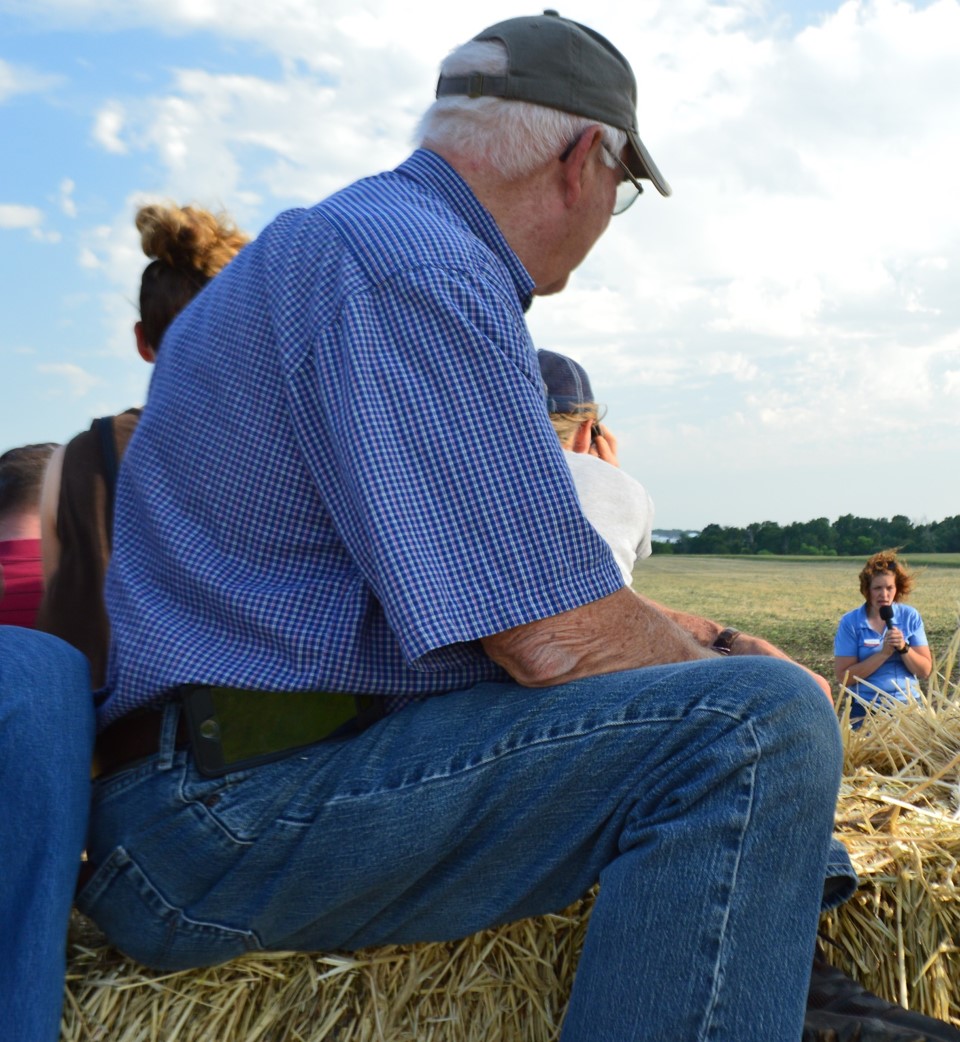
{"x": 509, "y": 984}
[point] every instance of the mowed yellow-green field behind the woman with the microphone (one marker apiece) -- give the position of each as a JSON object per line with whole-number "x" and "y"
{"x": 796, "y": 603}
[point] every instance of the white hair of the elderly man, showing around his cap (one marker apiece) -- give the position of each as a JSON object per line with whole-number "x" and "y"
{"x": 512, "y": 137}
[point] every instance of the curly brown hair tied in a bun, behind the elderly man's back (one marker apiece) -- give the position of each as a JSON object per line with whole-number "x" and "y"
{"x": 189, "y": 246}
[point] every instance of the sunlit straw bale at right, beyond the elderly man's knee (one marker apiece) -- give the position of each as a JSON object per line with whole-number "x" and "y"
{"x": 899, "y": 815}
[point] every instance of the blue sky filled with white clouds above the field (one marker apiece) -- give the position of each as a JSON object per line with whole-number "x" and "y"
{"x": 780, "y": 340}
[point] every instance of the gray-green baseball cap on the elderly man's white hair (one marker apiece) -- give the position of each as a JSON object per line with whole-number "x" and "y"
{"x": 559, "y": 64}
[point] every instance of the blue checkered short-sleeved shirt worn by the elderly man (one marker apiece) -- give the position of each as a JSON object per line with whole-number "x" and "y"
{"x": 346, "y": 474}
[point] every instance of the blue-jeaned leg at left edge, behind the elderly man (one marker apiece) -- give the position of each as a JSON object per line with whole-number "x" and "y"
{"x": 46, "y": 741}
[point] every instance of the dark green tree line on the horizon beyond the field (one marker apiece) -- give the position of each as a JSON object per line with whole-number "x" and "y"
{"x": 849, "y": 536}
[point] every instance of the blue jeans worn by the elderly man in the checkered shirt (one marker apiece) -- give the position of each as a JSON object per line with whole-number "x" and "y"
{"x": 702, "y": 797}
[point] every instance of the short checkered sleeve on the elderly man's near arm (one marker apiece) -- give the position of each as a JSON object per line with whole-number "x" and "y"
{"x": 437, "y": 462}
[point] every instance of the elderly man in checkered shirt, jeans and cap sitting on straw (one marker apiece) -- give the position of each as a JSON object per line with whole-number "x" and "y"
{"x": 319, "y": 518}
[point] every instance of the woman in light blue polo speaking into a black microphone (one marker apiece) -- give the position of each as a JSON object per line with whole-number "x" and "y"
{"x": 881, "y": 648}
